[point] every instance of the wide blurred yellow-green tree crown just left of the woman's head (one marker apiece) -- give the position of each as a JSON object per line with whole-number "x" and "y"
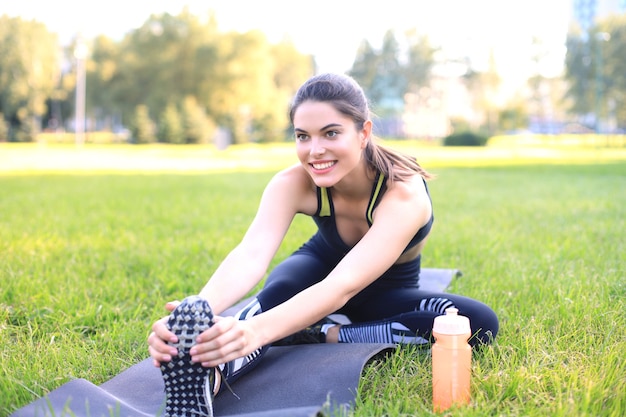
{"x": 239, "y": 81}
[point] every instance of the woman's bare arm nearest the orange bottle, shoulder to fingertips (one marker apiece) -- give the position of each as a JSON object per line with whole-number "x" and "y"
{"x": 403, "y": 210}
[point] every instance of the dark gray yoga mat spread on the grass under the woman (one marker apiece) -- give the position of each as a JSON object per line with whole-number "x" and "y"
{"x": 291, "y": 381}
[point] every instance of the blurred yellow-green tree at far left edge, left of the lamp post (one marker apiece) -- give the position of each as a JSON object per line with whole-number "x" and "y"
{"x": 29, "y": 72}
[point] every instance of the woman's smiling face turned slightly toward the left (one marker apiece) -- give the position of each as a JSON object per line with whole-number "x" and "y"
{"x": 328, "y": 143}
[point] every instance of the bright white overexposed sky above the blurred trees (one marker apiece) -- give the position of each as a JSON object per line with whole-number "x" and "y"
{"x": 332, "y": 30}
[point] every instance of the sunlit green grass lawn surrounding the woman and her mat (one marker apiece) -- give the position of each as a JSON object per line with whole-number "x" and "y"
{"x": 87, "y": 262}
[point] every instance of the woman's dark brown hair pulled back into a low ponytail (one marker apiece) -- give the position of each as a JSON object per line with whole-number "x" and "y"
{"x": 348, "y": 98}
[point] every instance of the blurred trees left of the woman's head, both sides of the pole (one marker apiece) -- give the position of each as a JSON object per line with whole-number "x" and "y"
{"x": 175, "y": 79}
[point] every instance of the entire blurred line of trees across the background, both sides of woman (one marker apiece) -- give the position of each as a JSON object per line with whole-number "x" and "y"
{"x": 177, "y": 79}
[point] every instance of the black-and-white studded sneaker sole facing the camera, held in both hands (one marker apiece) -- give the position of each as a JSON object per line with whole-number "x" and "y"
{"x": 189, "y": 387}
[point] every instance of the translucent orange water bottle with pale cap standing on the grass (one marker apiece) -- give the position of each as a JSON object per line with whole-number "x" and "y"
{"x": 452, "y": 360}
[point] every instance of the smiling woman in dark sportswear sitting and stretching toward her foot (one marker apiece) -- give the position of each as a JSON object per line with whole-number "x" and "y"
{"x": 373, "y": 213}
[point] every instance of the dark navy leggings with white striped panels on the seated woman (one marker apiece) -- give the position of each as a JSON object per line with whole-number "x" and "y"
{"x": 395, "y": 296}
